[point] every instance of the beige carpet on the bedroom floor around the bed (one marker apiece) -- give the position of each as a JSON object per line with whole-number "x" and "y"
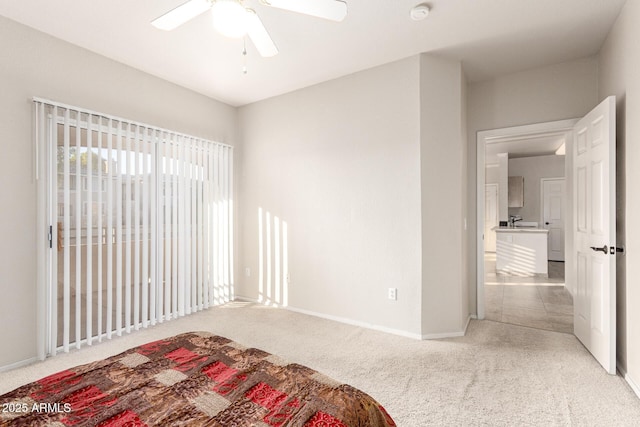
{"x": 497, "y": 375}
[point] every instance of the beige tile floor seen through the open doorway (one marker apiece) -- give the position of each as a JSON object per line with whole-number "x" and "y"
{"x": 536, "y": 302}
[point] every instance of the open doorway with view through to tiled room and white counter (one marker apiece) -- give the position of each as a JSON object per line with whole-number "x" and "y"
{"x": 537, "y": 297}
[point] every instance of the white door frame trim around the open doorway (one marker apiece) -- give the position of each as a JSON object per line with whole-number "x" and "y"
{"x": 561, "y": 127}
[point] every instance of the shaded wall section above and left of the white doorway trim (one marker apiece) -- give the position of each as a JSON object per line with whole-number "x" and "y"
{"x": 556, "y": 92}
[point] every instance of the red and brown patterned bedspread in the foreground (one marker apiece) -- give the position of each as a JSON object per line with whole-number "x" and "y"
{"x": 192, "y": 379}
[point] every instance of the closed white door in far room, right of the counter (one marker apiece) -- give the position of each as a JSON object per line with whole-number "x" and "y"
{"x": 553, "y": 216}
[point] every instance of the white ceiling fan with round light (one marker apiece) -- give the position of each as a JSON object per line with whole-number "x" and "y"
{"x": 232, "y": 19}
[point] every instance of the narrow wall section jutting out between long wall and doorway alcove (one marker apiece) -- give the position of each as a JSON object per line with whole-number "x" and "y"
{"x": 442, "y": 158}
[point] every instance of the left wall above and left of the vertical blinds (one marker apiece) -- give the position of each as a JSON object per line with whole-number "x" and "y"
{"x": 34, "y": 64}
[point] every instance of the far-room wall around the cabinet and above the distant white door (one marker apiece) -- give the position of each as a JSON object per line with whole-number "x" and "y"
{"x": 533, "y": 169}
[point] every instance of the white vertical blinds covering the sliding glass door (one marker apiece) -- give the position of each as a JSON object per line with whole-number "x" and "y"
{"x": 140, "y": 224}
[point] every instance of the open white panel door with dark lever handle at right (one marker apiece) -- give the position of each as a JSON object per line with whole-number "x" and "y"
{"x": 594, "y": 171}
